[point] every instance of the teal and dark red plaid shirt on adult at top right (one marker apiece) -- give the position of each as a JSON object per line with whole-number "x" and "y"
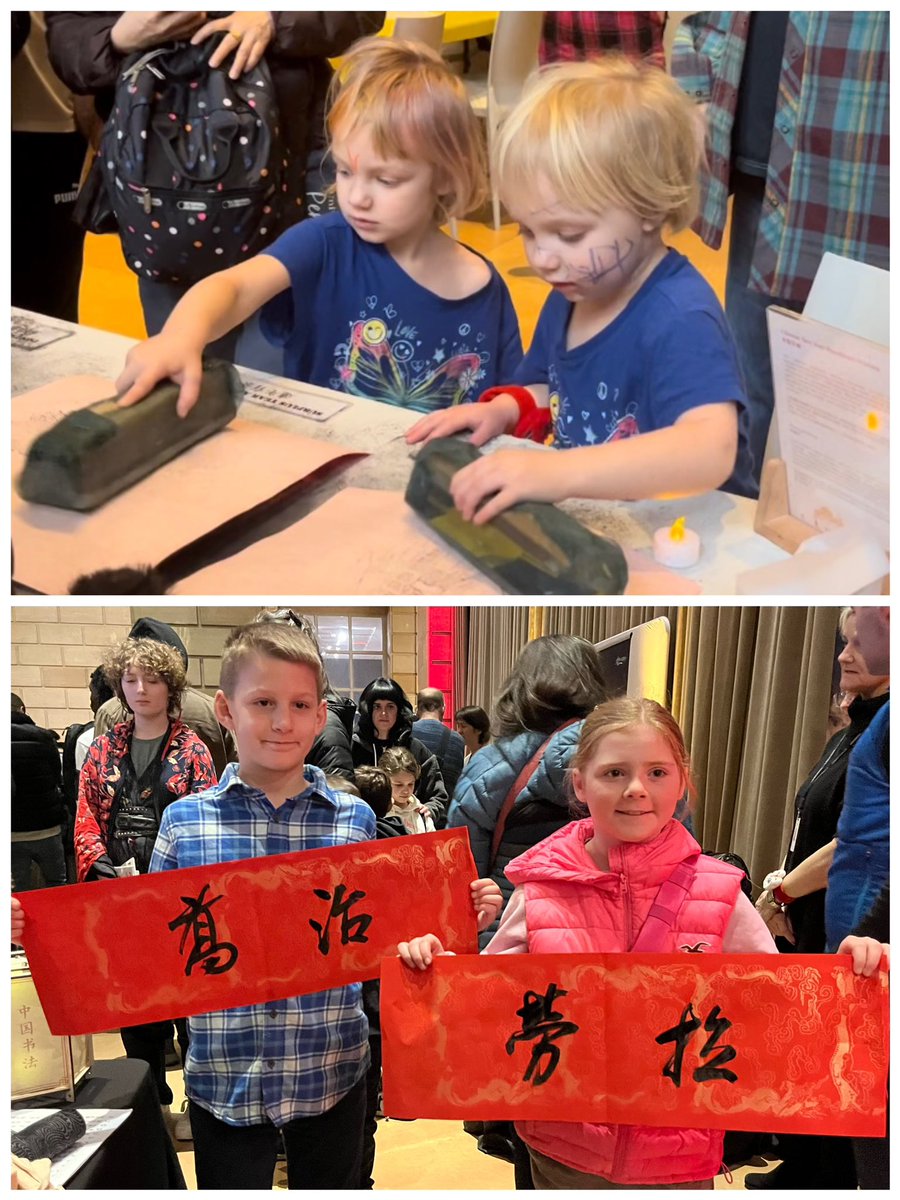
{"x": 827, "y": 184}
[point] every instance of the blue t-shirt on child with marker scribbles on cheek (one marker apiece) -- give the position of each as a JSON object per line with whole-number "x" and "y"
{"x": 668, "y": 352}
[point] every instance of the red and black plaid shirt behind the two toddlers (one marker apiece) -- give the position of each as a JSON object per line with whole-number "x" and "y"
{"x": 575, "y": 37}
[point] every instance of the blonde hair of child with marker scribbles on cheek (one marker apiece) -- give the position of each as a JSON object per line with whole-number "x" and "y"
{"x": 610, "y": 134}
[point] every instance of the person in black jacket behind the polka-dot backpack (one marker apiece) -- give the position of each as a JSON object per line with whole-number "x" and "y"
{"x": 88, "y": 49}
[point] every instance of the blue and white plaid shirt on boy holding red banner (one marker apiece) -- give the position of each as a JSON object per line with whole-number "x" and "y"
{"x": 292, "y": 1058}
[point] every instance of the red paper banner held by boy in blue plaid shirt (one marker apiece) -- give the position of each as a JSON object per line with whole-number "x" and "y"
{"x": 104, "y": 956}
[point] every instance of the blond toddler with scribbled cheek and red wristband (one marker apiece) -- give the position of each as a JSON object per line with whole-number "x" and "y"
{"x": 633, "y": 369}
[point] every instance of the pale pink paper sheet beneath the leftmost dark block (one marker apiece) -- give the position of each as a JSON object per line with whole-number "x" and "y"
{"x": 214, "y": 482}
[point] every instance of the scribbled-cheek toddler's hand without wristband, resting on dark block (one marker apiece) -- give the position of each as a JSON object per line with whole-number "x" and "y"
{"x": 506, "y": 478}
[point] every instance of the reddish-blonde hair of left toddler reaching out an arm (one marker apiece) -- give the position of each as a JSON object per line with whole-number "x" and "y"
{"x": 406, "y": 98}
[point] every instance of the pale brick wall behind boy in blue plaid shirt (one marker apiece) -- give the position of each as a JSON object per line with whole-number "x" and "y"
{"x": 55, "y": 650}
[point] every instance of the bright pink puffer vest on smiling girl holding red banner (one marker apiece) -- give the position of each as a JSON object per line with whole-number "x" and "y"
{"x": 574, "y": 908}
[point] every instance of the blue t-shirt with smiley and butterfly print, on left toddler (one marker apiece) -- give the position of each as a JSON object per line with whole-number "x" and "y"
{"x": 355, "y": 321}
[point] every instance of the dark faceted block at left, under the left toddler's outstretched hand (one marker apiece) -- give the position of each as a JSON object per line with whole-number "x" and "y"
{"x": 95, "y": 453}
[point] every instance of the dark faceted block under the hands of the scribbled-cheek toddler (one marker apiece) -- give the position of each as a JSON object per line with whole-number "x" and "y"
{"x": 530, "y": 550}
